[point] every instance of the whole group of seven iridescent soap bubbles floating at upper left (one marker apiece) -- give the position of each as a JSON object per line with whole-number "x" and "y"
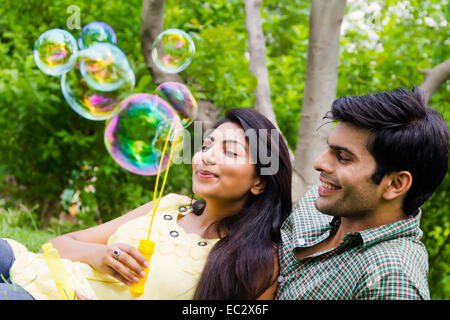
{"x": 97, "y": 82}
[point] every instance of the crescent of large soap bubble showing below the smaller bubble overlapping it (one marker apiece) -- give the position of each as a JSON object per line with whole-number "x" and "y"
{"x": 90, "y": 103}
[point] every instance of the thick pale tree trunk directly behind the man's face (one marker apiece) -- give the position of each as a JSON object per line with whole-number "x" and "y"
{"x": 320, "y": 89}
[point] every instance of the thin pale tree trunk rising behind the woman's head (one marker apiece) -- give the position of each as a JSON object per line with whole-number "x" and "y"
{"x": 257, "y": 50}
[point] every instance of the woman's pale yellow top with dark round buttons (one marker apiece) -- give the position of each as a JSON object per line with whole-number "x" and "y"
{"x": 175, "y": 266}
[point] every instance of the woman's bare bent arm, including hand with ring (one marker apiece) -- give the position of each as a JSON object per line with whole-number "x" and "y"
{"x": 90, "y": 246}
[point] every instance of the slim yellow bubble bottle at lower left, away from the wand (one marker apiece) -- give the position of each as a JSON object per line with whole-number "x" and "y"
{"x": 58, "y": 273}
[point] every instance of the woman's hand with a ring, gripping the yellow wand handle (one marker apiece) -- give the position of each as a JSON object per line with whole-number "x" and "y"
{"x": 126, "y": 267}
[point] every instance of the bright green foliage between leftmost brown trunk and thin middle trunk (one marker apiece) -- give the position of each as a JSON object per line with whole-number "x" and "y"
{"x": 219, "y": 70}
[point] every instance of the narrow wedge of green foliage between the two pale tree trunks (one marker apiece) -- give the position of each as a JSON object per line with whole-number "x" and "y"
{"x": 286, "y": 28}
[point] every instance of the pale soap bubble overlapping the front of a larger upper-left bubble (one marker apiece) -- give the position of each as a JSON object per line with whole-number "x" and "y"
{"x": 105, "y": 67}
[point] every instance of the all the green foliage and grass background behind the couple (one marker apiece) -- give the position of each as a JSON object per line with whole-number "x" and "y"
{"x": 56, "y": 175}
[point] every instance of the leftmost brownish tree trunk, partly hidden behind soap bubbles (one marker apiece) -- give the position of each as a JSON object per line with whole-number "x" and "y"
{"x": 152, "y": 22}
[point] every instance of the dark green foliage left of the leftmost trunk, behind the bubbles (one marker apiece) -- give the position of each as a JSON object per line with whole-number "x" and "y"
{"x": 46, "y": 144}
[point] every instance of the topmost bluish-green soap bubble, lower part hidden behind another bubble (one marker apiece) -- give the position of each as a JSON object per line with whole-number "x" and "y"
{"x": 94, "y": 32}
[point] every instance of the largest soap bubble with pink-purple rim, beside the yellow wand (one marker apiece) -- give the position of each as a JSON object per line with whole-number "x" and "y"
{"x": 135, "y": 137}
